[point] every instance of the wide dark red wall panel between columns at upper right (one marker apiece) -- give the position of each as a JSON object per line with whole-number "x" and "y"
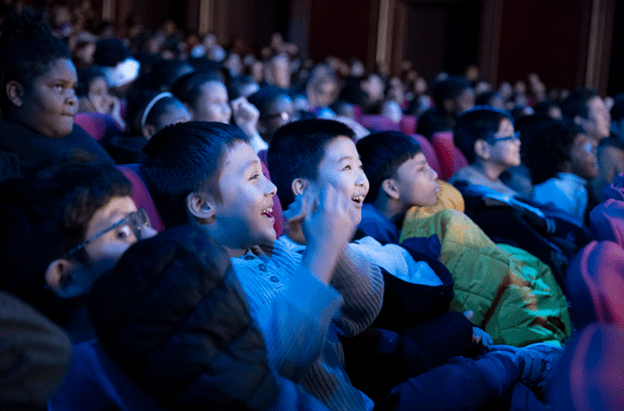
{"x": 542, "y": 37}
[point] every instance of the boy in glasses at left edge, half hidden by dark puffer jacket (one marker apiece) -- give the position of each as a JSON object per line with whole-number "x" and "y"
{"x": 61, "y": 227}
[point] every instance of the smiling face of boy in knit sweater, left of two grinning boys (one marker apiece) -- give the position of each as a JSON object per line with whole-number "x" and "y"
{"x": 243, "y": 216}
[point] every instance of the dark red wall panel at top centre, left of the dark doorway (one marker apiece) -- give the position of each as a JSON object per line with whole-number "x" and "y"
{"x": 341, "y": 28}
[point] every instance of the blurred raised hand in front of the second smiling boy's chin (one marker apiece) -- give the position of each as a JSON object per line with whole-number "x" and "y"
{"x": 328, "y": 220}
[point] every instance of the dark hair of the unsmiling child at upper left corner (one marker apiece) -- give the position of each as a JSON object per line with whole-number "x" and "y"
{"x": 27, "y": 48}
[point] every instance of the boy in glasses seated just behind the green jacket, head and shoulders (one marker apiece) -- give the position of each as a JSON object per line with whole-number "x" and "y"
{"x": 487, "y": 138}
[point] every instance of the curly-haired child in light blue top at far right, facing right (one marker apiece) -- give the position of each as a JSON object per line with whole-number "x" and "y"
{"x": 562, "y": 161}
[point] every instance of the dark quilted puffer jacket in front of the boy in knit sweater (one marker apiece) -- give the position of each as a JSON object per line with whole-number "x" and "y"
{"x": 181, "y": 328}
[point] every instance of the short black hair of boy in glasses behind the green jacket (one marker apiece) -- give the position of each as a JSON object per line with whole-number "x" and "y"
{"x": 479, "y": 123}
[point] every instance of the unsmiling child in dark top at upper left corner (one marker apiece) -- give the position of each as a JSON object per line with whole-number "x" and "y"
{"x": 38, "y": 101}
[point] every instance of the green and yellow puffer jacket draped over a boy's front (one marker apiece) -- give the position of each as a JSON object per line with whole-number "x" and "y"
{"x": 514, "y": 296}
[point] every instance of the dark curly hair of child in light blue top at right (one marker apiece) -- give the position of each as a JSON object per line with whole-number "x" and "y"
{"x": 550, "y": 149}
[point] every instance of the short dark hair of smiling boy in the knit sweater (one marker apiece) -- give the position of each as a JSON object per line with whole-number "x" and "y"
{"x": 184, "y": 158}
